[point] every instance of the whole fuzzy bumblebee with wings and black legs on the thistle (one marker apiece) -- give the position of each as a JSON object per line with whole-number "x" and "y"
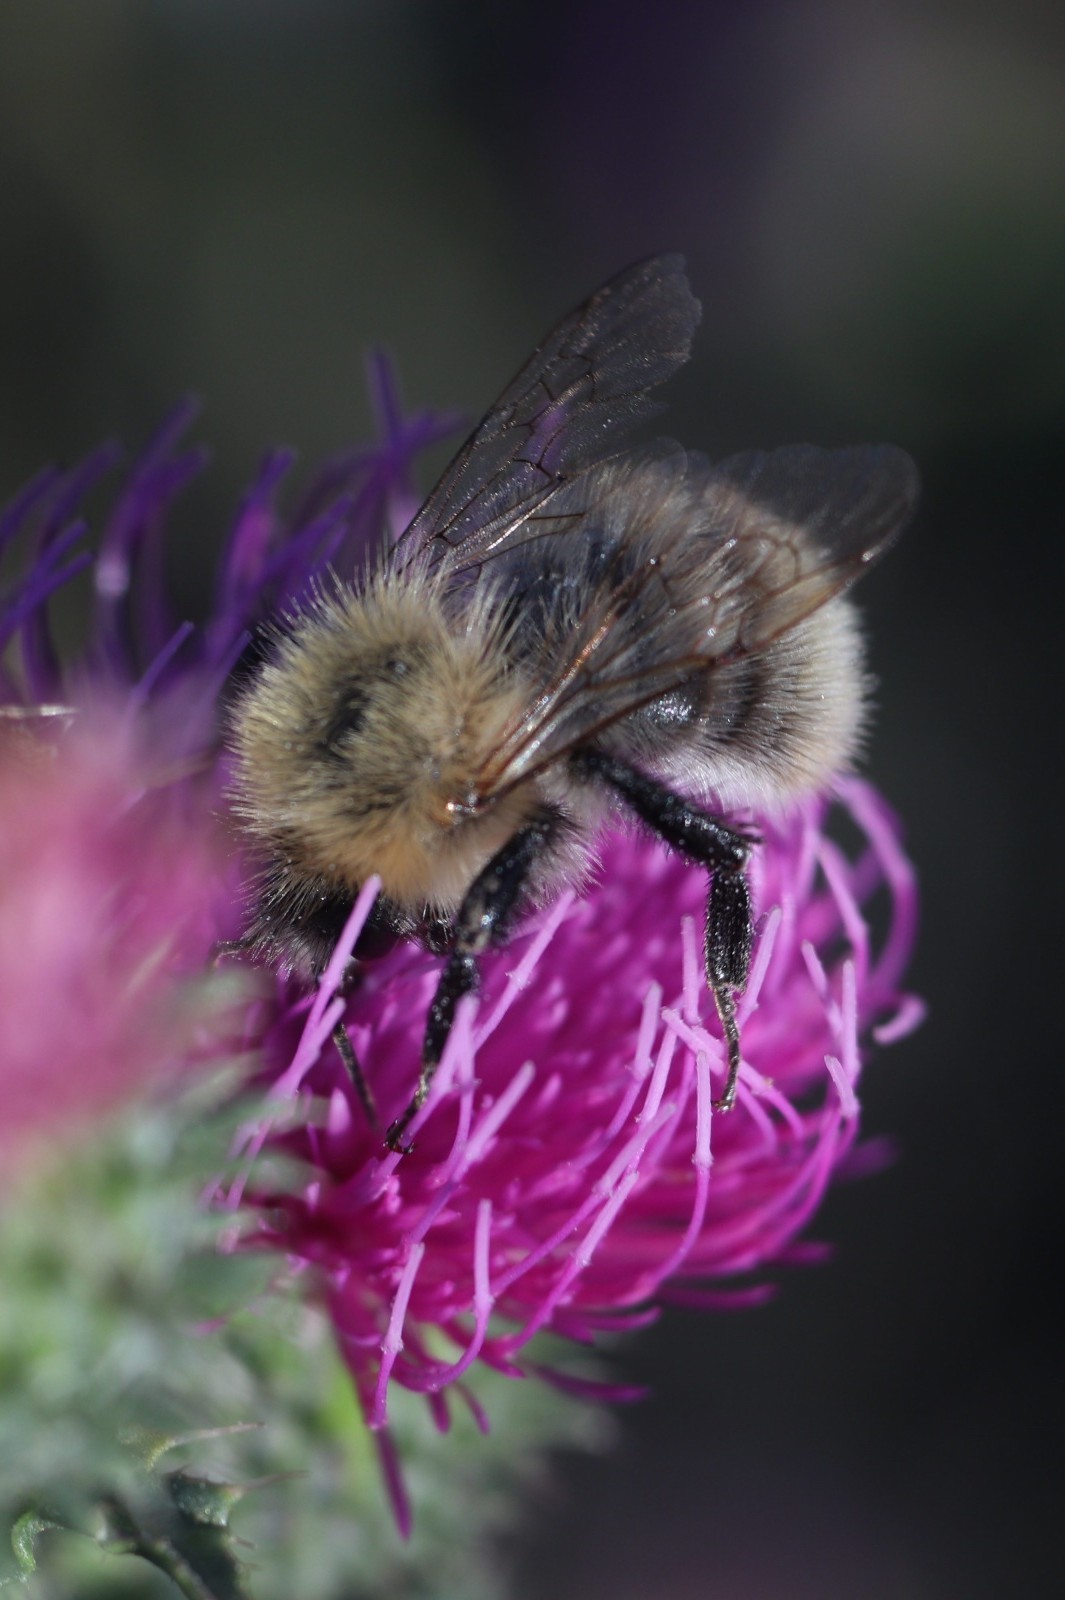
{"x": 568, "y": 633}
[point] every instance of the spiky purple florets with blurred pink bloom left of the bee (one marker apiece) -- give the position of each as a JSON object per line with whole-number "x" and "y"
{"x": 113, "y": 871}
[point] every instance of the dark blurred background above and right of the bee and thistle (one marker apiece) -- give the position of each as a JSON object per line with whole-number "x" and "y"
{"x": 239, "y": 198}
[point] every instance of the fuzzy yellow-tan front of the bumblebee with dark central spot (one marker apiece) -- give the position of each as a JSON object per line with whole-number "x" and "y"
{"x": 361, "y": 742}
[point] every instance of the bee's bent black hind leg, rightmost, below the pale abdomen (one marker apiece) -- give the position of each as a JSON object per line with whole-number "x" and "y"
{"x": 725, "y": 852}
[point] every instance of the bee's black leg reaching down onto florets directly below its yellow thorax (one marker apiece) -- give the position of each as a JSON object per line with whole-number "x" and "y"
{"x": 484, "y": 919}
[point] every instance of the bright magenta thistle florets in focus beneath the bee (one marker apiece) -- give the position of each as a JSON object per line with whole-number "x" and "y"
{"x": 568, "y": 1172}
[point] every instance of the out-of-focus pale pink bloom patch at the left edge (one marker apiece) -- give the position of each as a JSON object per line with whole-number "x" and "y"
{"x": 106, "y": 906}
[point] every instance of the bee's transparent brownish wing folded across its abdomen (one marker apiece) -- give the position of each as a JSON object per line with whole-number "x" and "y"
{"x": 744, "y": 553}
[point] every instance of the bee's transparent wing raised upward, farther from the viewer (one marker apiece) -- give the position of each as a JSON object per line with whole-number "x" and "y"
{"x": 570, "y": 406}
